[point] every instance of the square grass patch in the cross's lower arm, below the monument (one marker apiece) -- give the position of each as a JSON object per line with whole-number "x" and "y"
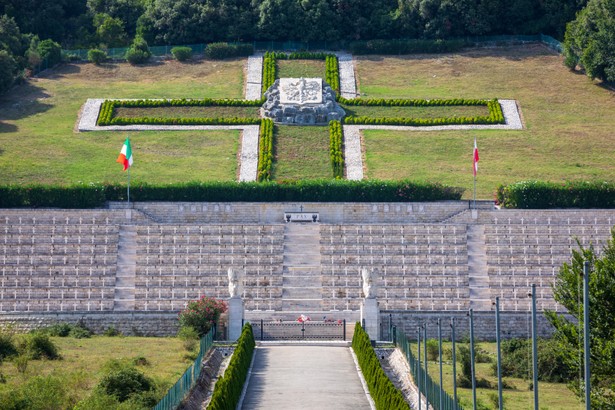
{"x": 301, "y": 153}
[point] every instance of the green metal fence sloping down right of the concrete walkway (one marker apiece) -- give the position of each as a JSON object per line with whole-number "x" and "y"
{"x": 432, "y": 391}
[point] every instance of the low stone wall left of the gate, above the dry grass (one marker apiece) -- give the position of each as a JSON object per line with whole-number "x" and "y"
{"x": 129, "y": 323}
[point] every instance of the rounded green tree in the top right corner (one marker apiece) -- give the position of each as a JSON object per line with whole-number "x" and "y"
{"x": 590, "y": 40}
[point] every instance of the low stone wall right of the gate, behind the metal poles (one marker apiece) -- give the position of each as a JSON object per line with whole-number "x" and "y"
{"x": 512, "y": 324}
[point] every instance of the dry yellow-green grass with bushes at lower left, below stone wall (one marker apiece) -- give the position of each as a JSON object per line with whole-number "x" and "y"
{"x": 83, "y": 360}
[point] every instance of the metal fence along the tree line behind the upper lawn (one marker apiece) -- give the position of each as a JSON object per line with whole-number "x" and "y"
{"x": 165, "y": 51}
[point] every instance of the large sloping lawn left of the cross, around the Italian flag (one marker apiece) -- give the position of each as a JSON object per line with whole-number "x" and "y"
{"x": 38, "y": 142}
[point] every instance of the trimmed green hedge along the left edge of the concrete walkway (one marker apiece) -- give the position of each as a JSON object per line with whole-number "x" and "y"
{"x": 228, "y": 388}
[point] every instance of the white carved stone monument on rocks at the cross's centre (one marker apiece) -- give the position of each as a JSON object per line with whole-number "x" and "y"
{"x": 301, "y": 101}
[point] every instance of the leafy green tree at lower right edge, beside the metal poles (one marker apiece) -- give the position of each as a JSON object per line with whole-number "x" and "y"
{"x": 567, "y": 290}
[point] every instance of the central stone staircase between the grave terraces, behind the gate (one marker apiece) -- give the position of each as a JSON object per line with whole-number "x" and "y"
{"x": 302, "y": 283}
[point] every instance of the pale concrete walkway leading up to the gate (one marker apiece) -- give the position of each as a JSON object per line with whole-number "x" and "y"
{"x": 304, "y": 377}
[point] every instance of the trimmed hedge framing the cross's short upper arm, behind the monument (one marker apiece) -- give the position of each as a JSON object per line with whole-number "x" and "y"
{"x": 270, "y": 68}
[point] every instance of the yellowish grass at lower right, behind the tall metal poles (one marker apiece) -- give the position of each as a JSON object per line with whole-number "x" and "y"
{"x": 552, "y": 396}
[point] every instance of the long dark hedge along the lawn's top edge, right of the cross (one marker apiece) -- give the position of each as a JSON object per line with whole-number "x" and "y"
{"x": 405, "y": 46}
